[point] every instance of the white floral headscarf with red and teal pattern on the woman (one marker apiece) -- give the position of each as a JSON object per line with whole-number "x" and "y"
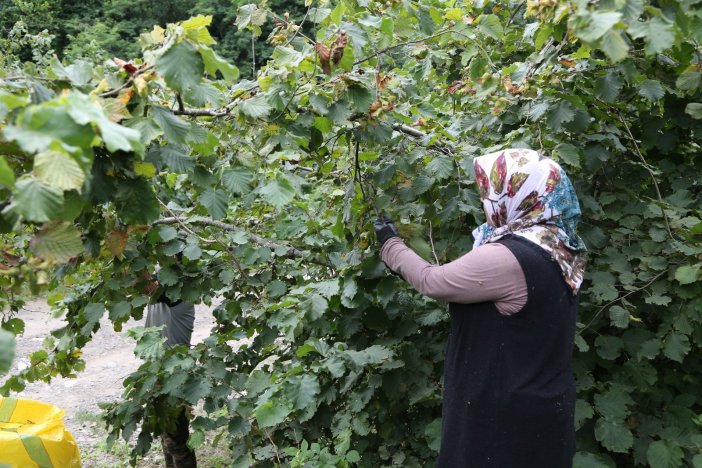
{"x": 532, "y": 197}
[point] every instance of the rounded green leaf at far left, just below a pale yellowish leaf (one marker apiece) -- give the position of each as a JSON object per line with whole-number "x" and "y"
{"x": 36, "y": 201}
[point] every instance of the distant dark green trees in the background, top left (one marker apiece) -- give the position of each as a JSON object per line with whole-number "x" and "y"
{"x": 115, "y": 26}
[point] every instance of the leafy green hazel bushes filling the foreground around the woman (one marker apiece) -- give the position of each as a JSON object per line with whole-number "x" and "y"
{"x": 269, "y": 189}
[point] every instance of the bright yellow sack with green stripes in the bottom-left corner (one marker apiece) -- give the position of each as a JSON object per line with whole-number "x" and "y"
{"x": 32, "y": 435}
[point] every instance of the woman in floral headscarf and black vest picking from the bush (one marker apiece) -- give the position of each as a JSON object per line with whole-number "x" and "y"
{"x": 509, "y": 392}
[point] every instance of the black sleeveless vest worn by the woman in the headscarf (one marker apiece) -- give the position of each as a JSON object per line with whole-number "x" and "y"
{"x": 509, "y": 391}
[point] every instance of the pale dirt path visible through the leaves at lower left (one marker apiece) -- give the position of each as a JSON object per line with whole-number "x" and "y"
{"x": 109, "y": 359}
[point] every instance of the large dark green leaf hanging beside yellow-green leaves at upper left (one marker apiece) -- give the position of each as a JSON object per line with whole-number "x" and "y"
{"x": 181, "y": 66}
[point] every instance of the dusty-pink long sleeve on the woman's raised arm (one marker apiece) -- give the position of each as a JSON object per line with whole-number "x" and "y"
{"x": 489, "y": 273}
